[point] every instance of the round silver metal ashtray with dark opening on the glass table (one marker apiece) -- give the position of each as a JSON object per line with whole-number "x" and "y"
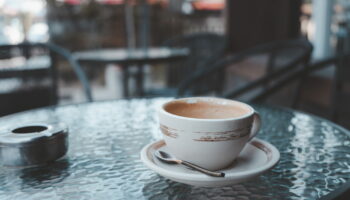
{"x": 33, "y": 144}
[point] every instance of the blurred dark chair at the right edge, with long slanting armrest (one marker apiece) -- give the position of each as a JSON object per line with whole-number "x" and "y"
{"x": 338, "y": 98}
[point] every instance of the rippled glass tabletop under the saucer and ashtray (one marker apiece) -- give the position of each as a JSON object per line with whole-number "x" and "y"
{"x": 106, "y": 138}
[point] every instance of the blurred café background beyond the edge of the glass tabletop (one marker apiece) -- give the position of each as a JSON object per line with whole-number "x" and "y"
{"x": 291, "y": 53}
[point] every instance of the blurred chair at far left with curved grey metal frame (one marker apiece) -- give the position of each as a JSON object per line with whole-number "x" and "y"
{"x": 28, "y": 76}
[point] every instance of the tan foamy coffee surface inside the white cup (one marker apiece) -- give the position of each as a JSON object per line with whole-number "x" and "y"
{"x": 202, "y": 109}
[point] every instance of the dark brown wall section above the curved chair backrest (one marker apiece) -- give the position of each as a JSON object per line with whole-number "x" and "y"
{"x": 250, "y": 22}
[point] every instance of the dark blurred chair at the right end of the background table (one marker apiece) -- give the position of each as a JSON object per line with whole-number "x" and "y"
{"x": 205, "y": 49}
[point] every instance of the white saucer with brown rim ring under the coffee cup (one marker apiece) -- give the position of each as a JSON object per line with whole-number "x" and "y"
{"x": 256, "y": 158}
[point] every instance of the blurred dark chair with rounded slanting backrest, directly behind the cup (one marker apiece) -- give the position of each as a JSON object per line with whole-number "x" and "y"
{"x": 263, "y": 65}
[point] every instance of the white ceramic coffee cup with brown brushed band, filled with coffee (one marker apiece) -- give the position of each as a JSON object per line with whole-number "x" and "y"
{"x": 212, "y": 142}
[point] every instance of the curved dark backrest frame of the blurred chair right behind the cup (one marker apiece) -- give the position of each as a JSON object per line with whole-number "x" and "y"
{"x": 282, "y": 58}
